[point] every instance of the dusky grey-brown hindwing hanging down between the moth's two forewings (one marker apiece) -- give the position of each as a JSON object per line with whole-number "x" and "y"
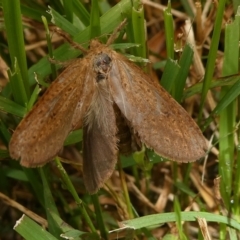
{"x": 100, "y": 152}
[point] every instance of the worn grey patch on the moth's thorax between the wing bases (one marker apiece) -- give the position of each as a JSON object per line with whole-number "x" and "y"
{"x": 102, "y": 63}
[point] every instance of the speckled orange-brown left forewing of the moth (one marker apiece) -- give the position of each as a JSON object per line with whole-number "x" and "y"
{"x": 41, "y": 134}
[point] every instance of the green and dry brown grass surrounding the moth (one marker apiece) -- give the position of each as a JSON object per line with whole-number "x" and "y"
{"x": 160, "y": 199}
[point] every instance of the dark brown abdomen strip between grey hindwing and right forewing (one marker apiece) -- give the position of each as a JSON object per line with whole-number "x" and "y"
{"x": 123, "y": 134}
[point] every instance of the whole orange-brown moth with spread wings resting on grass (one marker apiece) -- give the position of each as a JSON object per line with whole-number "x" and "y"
{"x": 96, "y": 93}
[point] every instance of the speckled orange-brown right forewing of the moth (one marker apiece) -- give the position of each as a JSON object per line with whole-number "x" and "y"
{"x": 161, "y": 123}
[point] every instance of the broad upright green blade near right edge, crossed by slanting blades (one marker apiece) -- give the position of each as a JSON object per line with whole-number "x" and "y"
{"x": 228, "y": 115}
